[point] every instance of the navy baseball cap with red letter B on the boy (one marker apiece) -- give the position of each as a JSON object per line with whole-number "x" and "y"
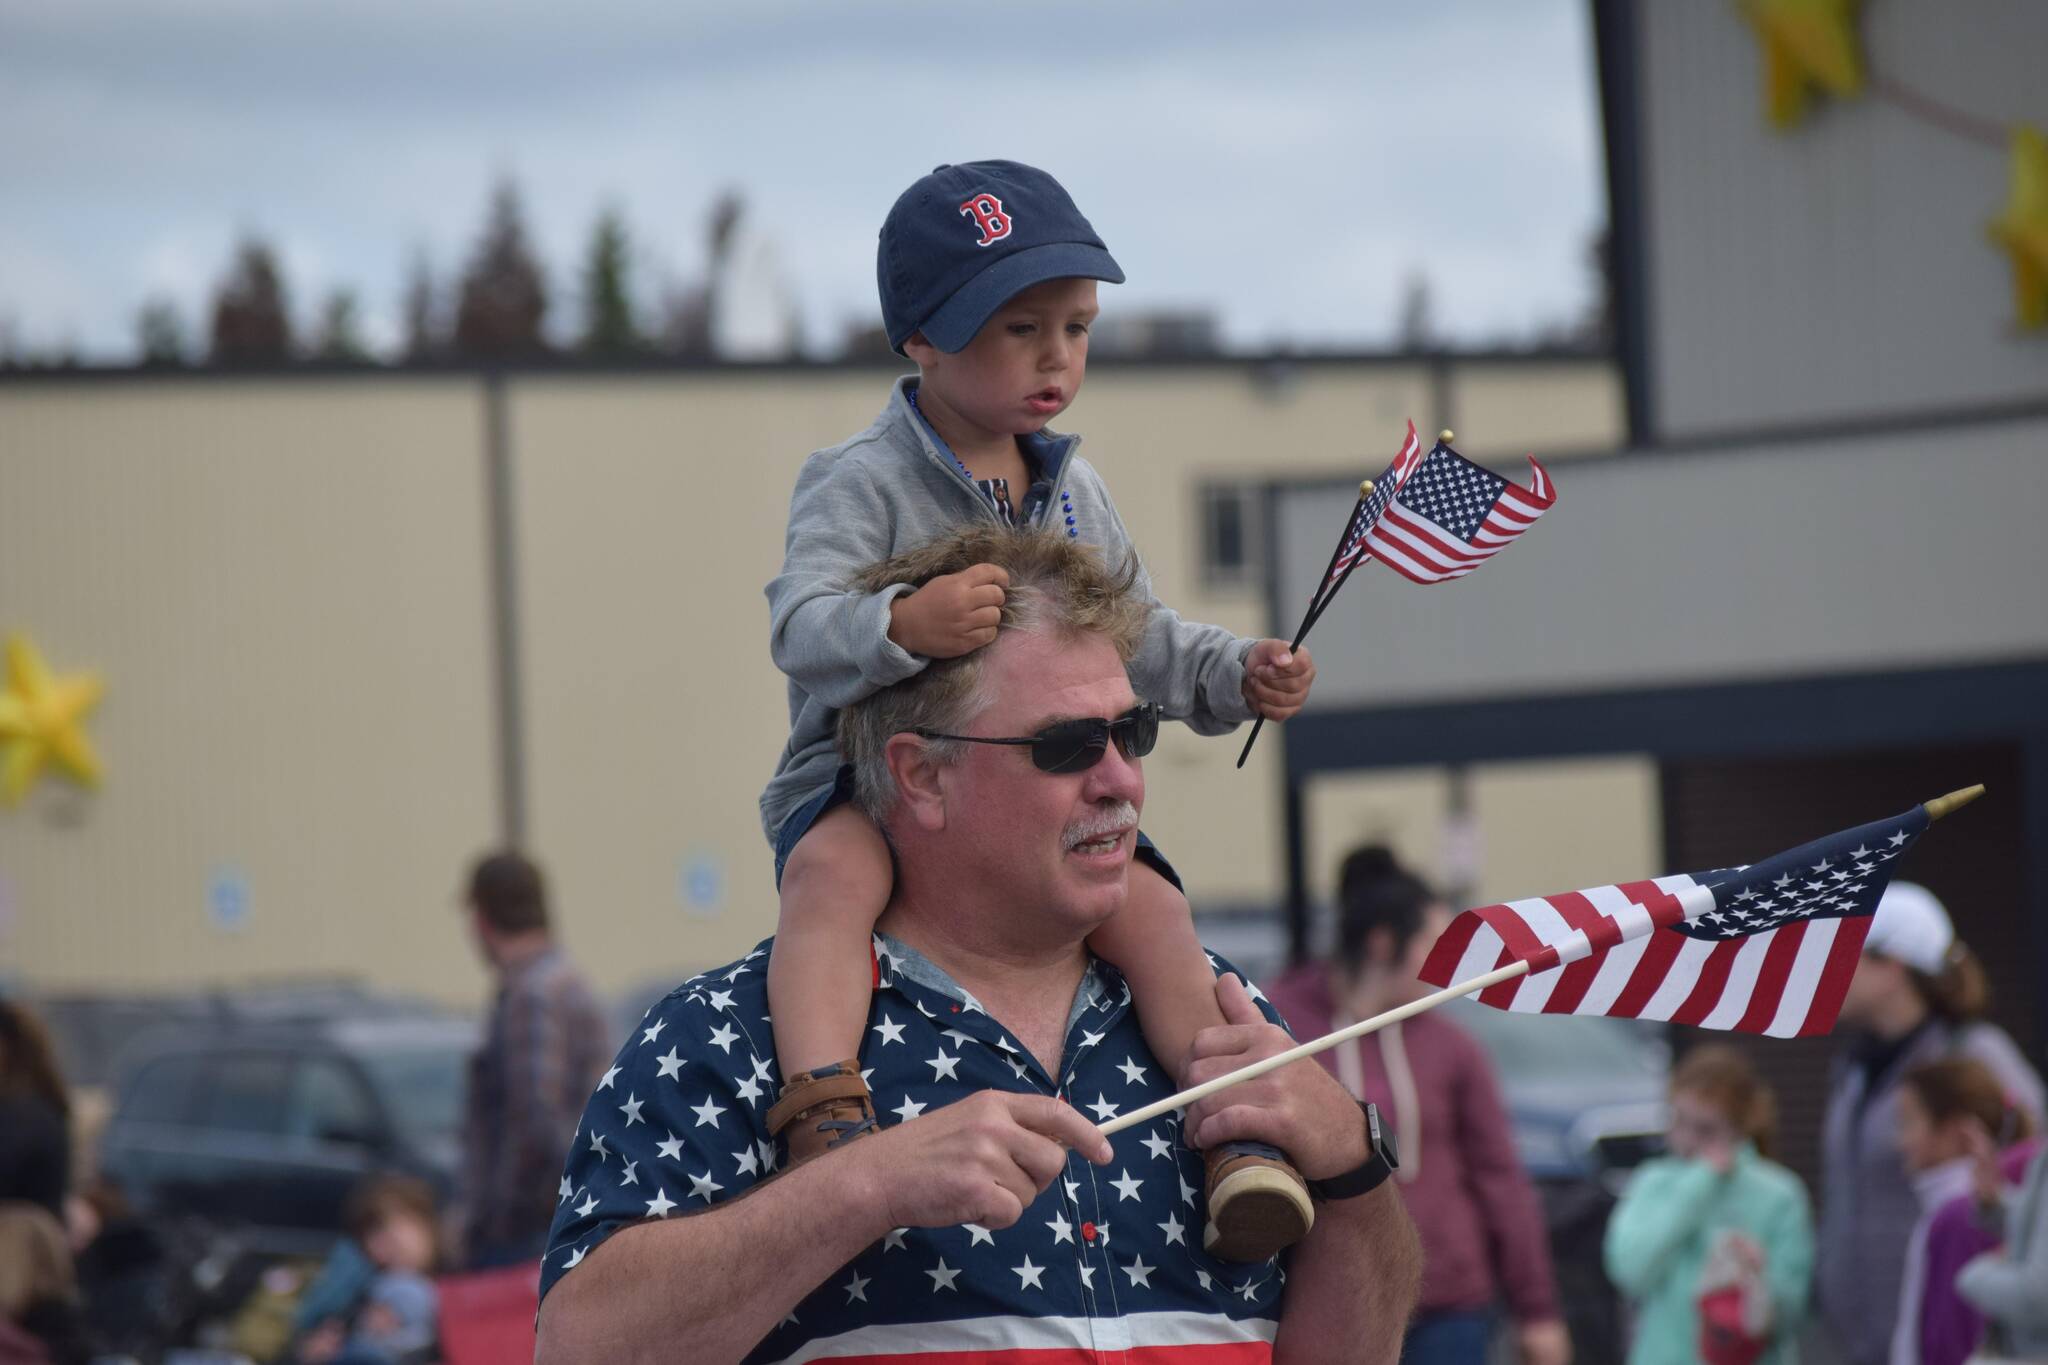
{"x": 970, "y": 238}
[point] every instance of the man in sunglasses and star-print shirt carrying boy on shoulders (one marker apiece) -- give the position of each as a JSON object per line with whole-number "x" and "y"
{"x": 988, "y": 1215}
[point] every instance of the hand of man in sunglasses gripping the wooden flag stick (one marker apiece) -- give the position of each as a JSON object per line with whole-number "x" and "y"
{"x": 978, "y": 1161}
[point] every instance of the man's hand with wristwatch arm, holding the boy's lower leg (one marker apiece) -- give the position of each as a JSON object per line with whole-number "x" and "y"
{"x": 1302, "y": 1108}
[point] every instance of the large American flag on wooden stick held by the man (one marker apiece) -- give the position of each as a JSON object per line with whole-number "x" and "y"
{"x": 1766, "y": 949}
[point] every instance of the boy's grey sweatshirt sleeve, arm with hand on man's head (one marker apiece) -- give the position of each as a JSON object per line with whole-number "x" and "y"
{"x": 830, "y": 642}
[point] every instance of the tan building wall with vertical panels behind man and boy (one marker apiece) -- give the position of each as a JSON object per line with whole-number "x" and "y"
{"x": 288, "y": 590}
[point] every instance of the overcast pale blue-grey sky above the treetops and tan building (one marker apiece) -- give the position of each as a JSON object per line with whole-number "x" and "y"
{"x": 1287, "y": 165}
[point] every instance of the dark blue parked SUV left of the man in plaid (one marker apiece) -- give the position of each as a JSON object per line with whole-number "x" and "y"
{"x": 263, "y": 1129}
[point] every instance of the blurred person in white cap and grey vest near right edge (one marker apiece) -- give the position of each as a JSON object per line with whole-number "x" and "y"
{"x": 1918, "y": 996}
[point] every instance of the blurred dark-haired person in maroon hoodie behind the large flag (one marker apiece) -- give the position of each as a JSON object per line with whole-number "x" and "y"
{"x": 1476, "y": 1208}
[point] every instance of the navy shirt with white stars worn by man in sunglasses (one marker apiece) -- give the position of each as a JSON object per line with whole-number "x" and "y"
{"x": 1107, "y": 1266}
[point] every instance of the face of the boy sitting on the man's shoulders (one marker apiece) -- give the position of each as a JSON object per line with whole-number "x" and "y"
{"x": 1025, "y": 365}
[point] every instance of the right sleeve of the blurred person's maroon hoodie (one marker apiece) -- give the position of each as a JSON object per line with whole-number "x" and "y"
{"x": 1502, "y": 1188}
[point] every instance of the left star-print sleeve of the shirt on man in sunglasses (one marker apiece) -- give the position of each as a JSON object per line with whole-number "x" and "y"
{"x": 675, "y": 1127}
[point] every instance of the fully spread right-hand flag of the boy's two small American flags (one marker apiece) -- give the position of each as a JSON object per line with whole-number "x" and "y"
{"x": 1455, "y": 517}
